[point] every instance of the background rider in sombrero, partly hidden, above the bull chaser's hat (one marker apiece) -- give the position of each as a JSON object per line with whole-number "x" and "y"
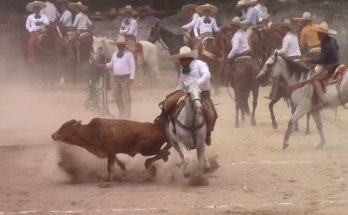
{"x": 189, "y": 11}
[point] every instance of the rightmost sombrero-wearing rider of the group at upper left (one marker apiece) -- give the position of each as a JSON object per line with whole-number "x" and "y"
{"x": 81, "y": 22}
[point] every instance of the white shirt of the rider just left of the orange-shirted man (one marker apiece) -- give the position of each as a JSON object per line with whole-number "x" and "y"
{"x": 290, "y": 46}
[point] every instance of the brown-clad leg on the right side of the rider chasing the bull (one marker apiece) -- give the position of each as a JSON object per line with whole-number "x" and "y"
{"x": 210, "y": 114}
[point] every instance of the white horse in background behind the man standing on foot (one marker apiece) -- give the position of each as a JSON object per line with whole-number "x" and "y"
{"x": 147, "y": 59}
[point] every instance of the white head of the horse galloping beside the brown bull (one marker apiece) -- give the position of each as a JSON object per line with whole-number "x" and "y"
{"x": 194, "y": 95}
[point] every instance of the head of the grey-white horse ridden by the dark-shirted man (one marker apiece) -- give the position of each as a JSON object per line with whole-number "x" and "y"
{"x": 271, "y": 69}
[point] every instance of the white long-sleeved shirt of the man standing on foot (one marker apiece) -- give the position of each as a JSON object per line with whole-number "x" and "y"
{"x": 124, "y": 65}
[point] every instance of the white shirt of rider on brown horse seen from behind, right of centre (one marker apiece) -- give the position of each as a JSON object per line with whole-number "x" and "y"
{"x": 239, "y": 43}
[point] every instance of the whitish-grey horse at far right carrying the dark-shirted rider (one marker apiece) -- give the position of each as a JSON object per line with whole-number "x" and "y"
{"x": 337, "y": 94}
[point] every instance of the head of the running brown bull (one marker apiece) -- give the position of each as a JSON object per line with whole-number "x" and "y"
{"x": 66, "y": 131}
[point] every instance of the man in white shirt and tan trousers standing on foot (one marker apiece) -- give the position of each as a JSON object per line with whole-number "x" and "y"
{"x": 123, "y": 68}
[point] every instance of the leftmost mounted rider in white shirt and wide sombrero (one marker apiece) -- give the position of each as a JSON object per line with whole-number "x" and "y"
{"x": 35, "y": 24}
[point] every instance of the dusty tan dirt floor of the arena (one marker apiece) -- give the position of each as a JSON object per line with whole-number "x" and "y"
{"x": 255, "y": 177}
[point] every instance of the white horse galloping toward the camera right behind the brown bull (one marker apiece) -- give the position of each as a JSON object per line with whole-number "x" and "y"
{"x": 188, "y": 130}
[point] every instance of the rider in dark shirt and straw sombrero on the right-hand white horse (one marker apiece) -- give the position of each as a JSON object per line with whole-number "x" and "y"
{"x": 327, "y": 62}
